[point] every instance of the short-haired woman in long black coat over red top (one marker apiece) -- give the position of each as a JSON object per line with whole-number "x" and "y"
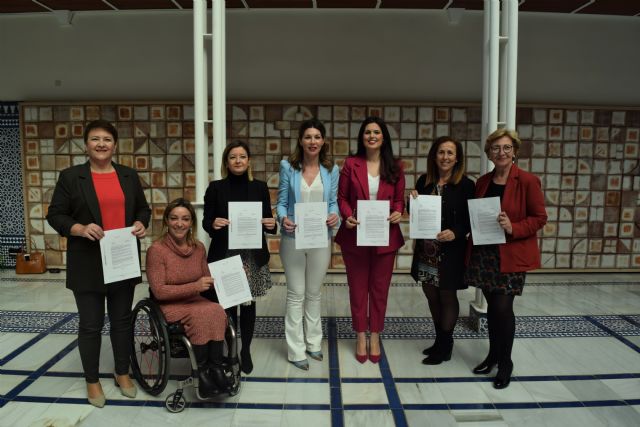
{"x": 89, "y": 199}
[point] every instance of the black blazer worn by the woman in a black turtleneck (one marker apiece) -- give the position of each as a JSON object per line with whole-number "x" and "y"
{"x": 216, "y": 205}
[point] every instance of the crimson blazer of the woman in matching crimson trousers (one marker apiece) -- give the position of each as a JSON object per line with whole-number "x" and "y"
{"x": 353, "y": 185}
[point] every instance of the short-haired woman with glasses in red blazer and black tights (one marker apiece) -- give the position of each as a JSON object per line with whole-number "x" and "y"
{"x": 499, "y": 270}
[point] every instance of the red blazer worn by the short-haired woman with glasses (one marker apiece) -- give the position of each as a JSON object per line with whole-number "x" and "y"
{"x": 524, "y": 204}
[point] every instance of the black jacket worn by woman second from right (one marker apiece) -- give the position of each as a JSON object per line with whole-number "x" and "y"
{"x": 455, "y": 217}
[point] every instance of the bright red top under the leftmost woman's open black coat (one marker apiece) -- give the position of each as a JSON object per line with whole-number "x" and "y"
{"x": 110, "y": 199}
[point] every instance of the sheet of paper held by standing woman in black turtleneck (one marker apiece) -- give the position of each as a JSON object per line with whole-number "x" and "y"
{"x": 245, "y": 226}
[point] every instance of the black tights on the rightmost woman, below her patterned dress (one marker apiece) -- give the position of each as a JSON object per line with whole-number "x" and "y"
{"x": 502, "y": 327}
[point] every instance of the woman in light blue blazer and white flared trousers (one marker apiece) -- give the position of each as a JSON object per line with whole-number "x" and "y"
{"x": 309, "y": 175}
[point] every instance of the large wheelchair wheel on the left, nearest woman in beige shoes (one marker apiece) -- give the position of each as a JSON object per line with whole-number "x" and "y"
{"x": 150, "y": 355}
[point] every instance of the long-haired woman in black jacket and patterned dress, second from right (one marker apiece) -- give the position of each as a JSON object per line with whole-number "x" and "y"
{"x": 439, "y": 264}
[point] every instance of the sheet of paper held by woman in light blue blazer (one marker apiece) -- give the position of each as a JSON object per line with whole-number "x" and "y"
{"x": 311, "y": 225}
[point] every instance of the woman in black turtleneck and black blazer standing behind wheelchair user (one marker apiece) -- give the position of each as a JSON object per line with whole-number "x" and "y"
{"x": 238, "y": 185}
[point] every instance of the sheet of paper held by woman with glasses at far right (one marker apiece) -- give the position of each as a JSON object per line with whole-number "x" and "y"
{"x": 483, "y": 214}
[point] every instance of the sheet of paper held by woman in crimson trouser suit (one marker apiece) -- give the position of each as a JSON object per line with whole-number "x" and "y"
{"x": 373, "y": 229}
